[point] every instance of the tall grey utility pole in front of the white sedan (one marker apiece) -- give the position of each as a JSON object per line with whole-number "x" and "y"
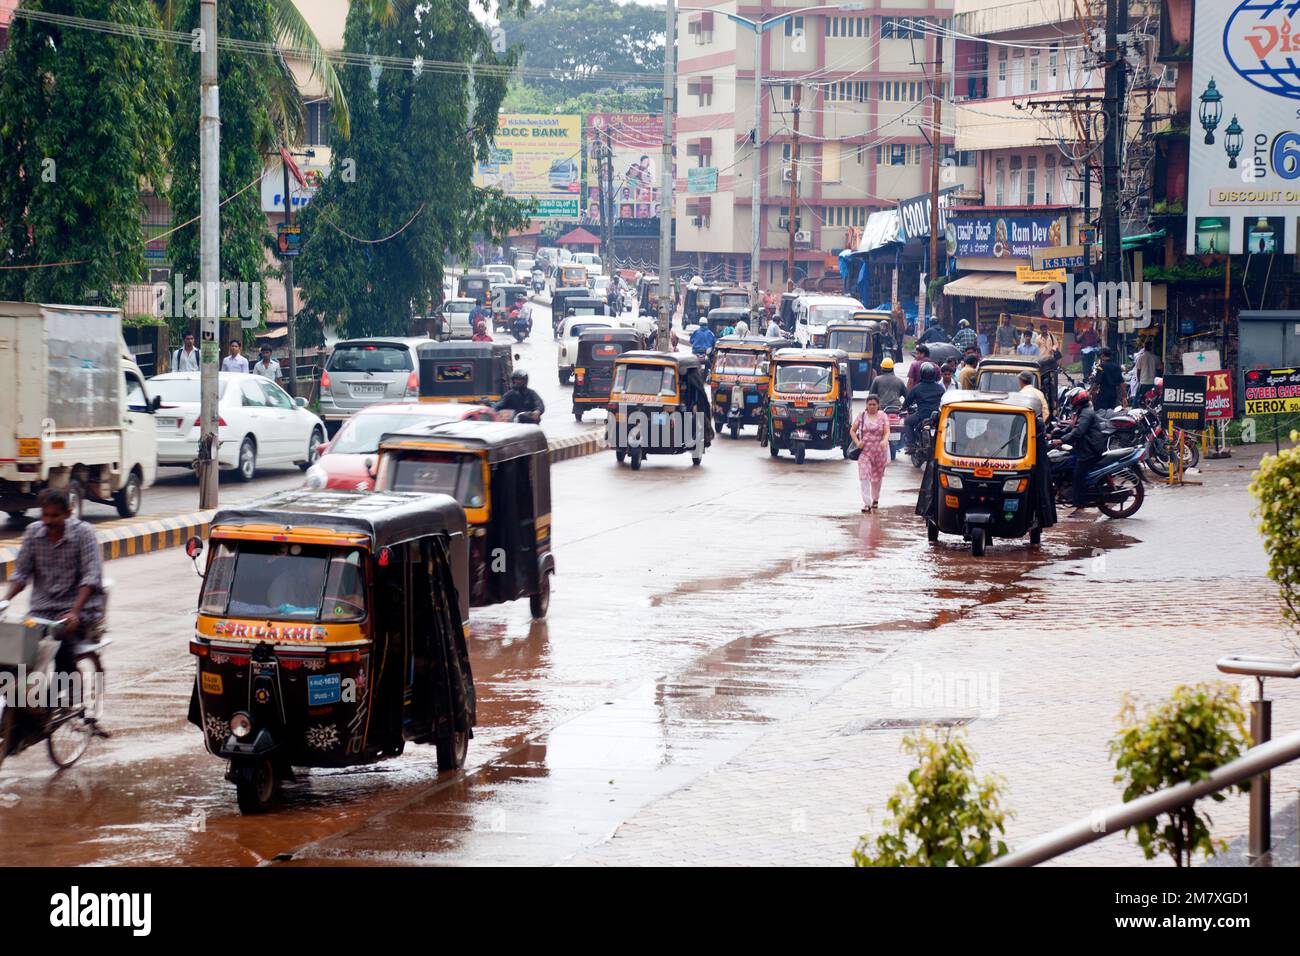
{"x": 210, "y": 253}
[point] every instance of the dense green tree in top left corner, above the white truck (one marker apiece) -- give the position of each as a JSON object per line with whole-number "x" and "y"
{"x": 83, "y": 126}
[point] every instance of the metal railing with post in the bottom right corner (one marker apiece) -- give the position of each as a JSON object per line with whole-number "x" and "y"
{"x": 1255, "y": 767}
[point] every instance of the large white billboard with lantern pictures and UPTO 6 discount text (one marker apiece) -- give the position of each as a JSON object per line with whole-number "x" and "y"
{"x": 1246, "y": 146}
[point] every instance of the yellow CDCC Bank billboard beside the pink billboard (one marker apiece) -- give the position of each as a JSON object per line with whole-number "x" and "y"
{"x": 538, "y": 158}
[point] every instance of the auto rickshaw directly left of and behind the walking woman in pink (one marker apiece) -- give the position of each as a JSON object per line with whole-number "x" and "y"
{"x": 809, "y": 403}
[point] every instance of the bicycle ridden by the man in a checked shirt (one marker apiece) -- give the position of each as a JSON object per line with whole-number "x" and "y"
{"x": 62, "y": 711}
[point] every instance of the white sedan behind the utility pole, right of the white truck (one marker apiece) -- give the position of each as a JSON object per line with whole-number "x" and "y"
{"x": 259, "y": 425}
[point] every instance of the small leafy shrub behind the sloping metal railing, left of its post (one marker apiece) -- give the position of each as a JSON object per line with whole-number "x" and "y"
{"x": 1184, "y": 739}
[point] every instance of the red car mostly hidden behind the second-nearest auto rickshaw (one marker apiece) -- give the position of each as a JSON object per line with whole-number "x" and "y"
{"x": 343, "y": 460}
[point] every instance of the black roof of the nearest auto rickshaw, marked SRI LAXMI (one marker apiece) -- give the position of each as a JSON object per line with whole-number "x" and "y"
{"x": 387, "y": 517}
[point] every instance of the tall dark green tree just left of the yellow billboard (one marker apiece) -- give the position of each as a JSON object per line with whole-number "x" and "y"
{"x": 401, "y": 193}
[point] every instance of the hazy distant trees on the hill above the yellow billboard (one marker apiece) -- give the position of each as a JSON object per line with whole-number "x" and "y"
{"x": 578, "y": 41}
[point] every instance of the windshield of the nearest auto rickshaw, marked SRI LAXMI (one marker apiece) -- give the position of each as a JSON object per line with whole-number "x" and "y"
{"x": 285, "y": 582}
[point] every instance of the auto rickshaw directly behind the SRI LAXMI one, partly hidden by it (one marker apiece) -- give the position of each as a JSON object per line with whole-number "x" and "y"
{"x": 501, "y": 474}
